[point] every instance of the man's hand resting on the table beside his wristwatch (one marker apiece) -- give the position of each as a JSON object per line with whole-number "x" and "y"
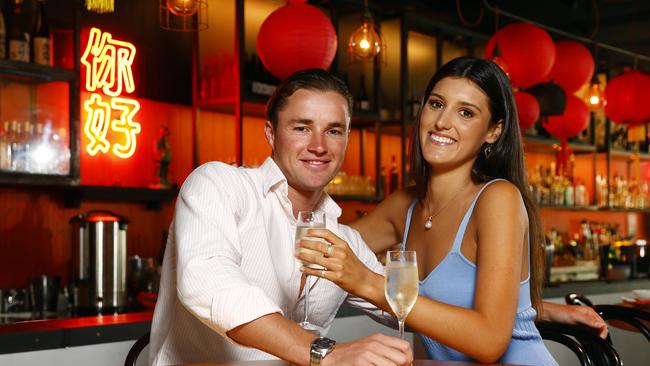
{"x": 377, "y": 349}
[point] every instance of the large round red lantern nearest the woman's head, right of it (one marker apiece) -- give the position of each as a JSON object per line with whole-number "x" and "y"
{"x": 528, "y": 51}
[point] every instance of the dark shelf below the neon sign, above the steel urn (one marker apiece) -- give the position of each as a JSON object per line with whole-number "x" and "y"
{"x": 152, "y": 198}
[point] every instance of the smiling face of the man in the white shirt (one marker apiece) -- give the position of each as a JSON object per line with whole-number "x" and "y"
{"x": 310, "y": 139}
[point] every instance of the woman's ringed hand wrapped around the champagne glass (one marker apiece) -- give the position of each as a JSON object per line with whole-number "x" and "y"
{"x": 340, "y": 264}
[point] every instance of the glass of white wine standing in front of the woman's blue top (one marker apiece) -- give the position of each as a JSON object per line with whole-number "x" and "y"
{"x": 402, "y": 284}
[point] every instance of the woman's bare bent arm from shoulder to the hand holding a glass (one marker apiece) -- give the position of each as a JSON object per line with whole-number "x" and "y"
{"x": 501, "y": 234}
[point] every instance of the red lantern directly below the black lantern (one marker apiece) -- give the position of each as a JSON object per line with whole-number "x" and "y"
{"x": 574, "y": 119}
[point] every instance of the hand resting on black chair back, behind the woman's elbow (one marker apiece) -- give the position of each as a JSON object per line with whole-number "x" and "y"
{"x": 574, "y": 314}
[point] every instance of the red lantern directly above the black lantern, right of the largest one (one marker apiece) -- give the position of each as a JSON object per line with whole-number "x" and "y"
{"x": 573, "y": 67}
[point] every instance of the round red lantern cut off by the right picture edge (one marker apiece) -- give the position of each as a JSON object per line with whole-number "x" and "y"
{"x": 628, "y": 99}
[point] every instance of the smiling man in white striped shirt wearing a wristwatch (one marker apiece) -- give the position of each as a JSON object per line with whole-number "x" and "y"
{"x": 231, "y": 288}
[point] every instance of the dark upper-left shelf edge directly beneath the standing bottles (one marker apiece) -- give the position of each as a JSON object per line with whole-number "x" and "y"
{"x": 29, "y": 72}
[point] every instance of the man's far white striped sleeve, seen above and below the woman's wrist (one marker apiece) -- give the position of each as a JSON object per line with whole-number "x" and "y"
{"x": 367, "y": 257}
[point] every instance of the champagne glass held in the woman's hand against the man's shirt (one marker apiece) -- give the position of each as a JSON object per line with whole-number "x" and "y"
{"x": 308, "y": 220}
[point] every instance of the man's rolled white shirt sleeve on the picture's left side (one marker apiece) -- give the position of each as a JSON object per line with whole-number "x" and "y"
{"x": 211, "y": 284}
